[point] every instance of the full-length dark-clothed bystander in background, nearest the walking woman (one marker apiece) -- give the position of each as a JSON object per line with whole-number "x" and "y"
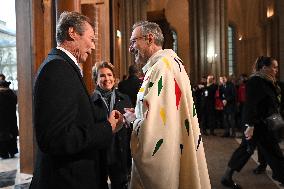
{"x": 230, "y": 107}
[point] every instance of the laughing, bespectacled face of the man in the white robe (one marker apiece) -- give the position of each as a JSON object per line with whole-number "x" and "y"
{"x": 139, "y": 46}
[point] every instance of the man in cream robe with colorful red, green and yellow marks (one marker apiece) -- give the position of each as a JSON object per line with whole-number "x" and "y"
{"x": 166, "y": 143}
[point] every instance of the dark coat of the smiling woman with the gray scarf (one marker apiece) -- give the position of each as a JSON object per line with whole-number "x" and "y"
{"x": 118, "y": 155}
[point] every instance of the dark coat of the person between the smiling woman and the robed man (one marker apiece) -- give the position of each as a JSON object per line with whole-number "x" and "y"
{"x": 130, "y": 86}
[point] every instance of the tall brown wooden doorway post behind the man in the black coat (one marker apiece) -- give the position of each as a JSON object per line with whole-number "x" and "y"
{"x": 34, "y": 39}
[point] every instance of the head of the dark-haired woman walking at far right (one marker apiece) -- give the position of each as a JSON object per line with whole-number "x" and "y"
{"x": 266, "y": 65}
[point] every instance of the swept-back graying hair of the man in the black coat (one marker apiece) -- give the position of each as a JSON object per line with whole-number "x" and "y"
{"x": 67, "y": 20}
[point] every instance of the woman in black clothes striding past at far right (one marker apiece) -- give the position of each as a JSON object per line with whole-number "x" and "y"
{"x": 262, "y": 100}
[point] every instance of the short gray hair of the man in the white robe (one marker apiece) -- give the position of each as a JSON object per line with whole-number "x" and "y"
{"x": 153, "y": 28}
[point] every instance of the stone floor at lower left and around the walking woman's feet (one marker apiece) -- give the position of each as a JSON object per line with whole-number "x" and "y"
{"x": 217, "y": 149}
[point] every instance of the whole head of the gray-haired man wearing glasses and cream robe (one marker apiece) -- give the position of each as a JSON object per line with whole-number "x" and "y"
{"x": 146, "y": 39}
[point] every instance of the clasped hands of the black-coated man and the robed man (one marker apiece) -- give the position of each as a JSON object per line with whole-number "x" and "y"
{"x": 117, "y": 120}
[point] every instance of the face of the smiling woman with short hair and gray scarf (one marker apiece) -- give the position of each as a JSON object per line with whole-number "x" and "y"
{"x": 105, "y": 79}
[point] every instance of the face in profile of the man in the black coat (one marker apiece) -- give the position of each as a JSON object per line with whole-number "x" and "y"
{"x": 84, "y": 43}
